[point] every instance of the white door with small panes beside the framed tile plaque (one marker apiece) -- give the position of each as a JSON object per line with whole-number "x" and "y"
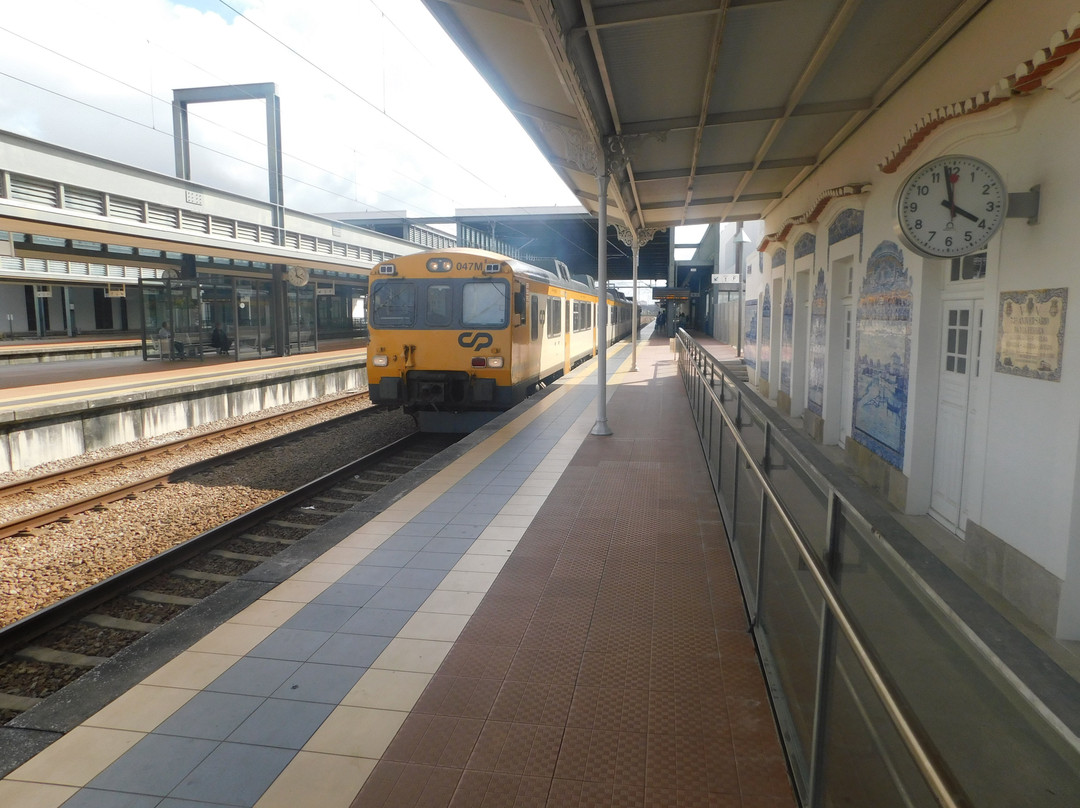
{"x": 953, "y": 394}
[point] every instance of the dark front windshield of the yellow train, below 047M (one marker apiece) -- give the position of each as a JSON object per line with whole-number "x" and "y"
{"x": 440, "y": 304}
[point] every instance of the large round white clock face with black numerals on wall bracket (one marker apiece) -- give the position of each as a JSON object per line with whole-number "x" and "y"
{"x": 951, "y": 207}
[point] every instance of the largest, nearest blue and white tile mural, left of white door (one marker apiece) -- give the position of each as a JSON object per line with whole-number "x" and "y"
{"x": 883, "y": 355}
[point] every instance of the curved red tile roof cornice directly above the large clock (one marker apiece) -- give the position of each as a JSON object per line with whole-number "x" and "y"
{"x": 1027, "y": 79}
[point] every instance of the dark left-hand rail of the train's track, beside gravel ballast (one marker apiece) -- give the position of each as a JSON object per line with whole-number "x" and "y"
{"x": 23, "y": 631}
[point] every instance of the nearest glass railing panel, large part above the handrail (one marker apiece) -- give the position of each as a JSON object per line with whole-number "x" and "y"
{"x": 995, "y": 745}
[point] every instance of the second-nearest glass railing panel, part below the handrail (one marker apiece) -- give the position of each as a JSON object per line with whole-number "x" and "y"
{"x": 790, "y": 618}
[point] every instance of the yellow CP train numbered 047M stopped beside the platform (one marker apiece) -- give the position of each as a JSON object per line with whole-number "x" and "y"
{"x": 458, "y": 336}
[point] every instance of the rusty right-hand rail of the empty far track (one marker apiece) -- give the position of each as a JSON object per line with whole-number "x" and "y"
{"x": 75, "y": 507}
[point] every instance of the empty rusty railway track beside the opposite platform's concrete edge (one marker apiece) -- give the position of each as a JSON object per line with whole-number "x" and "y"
{"x": 131, "y": 461}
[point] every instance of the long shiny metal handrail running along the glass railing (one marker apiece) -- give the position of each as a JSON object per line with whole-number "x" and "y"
{"x": 924, "y": 753}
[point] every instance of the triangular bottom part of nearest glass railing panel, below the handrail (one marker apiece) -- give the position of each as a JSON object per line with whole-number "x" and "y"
{"x": 866, "y": 761}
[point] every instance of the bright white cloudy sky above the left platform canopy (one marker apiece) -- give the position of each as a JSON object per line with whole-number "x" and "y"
{"x": 379, "y": 106}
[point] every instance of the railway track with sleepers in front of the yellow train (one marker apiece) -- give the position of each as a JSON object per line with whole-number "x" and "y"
{"x": 45, "y": 652}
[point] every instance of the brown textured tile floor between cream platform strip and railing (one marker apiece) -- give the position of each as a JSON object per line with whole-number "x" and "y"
{"x": 610, "y": 664}
